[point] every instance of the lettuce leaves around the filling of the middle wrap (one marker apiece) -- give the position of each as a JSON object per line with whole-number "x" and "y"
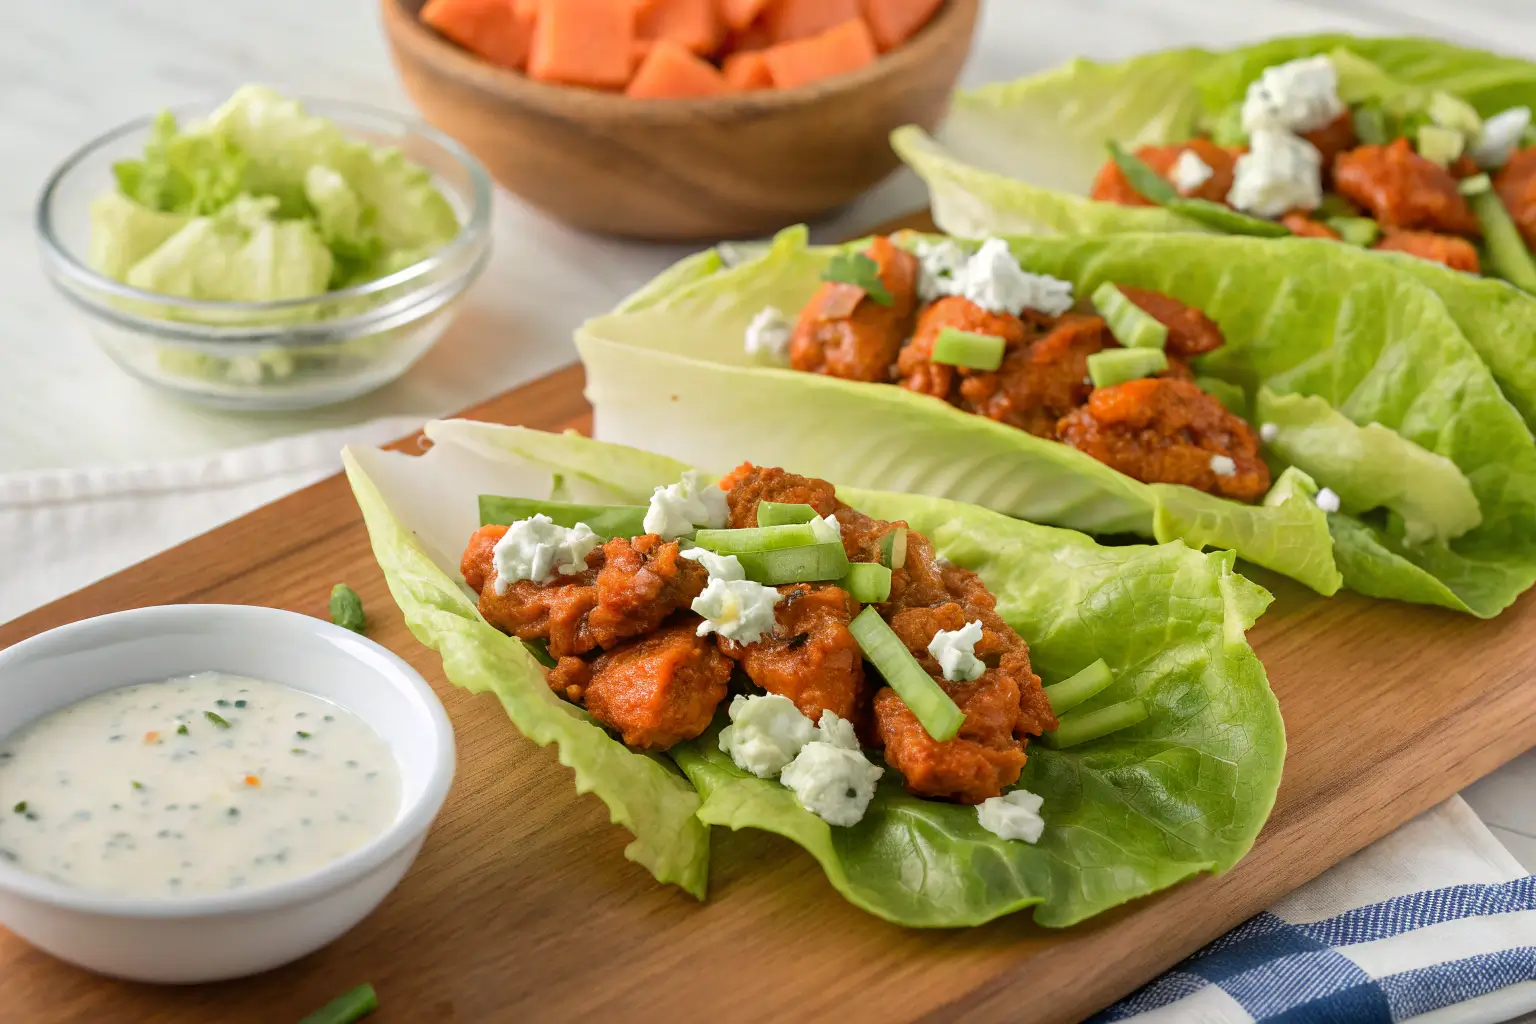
{"x": 1437, "y": 469}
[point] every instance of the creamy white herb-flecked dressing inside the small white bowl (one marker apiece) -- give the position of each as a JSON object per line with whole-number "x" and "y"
{"x": 194, "y": 785}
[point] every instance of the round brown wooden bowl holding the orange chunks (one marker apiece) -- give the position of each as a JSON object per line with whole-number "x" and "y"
{"x": 732, "y": 167}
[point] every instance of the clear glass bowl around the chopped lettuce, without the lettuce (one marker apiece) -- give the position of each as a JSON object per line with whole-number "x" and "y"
{"x": 288, "y": 354}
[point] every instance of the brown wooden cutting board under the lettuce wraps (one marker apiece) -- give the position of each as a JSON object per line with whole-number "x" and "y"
{"x": 523, "y": 908}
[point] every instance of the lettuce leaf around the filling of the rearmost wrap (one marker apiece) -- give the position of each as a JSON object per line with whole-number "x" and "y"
{"x": 1019, "y": 159}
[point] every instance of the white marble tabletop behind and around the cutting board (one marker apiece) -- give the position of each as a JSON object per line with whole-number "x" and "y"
{"x": 73, "y": 68}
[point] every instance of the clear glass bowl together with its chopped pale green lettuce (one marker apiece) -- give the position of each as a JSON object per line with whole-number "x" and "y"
{"x": 268, "y": 254}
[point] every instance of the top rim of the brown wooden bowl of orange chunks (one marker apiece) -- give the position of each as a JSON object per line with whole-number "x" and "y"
{"x": 405, "y": 30}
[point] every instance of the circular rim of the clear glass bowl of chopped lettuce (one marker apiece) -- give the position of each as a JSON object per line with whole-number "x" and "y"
{"x": 472, "y": 234}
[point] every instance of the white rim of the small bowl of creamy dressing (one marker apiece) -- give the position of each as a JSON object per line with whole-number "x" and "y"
{"x": 412, "y": 822}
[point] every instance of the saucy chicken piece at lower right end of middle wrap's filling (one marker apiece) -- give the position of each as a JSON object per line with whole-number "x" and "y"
{"x": 1170, "y": 432}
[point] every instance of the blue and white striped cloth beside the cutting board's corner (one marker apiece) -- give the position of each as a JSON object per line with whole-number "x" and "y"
{"x": 1434, "y": 925}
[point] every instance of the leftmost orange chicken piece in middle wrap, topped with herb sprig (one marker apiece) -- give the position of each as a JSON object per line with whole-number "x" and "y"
{"x": 844, "y": 332}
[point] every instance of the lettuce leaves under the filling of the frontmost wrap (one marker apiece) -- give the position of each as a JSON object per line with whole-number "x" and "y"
{"x": 1183, "y": 793}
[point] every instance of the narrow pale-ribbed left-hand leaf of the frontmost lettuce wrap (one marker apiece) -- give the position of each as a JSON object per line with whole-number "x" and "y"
{"x": 414, "y": 533}
